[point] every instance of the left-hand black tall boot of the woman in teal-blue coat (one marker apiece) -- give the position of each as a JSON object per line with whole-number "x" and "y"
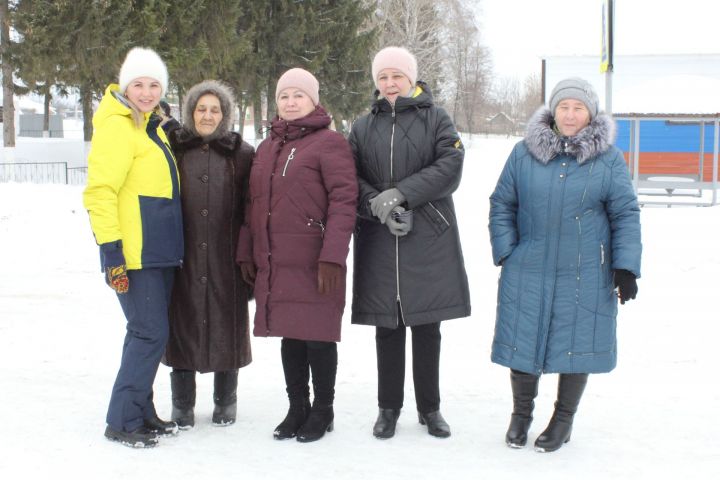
{"x": 525, "y": 389}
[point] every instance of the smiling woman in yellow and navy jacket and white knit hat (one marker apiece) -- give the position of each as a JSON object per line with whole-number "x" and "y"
{"x": 133, "y": 198}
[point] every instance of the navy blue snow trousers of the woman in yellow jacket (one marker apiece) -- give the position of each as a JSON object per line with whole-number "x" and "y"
{"x": 146, "y": 309}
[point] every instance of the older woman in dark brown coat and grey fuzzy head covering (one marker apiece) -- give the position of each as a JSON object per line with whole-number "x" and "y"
{"x": 209, "y": 306}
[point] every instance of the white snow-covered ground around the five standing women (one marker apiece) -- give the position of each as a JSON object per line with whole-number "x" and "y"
{"x": 61, "y": 333}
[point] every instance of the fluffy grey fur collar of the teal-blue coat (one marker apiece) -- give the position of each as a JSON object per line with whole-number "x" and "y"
{"x": 544, "y": 143}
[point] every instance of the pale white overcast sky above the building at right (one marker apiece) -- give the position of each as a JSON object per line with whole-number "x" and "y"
{"x": 520, "y": 32}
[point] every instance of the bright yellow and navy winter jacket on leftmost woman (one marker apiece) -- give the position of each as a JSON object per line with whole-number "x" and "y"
{"x": 133, "y": 188}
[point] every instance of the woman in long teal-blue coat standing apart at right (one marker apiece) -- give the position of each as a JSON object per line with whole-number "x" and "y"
{"x": 565, "y": 227}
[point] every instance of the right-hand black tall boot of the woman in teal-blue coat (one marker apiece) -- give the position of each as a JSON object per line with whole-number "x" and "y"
{"x": 570, "y": 390}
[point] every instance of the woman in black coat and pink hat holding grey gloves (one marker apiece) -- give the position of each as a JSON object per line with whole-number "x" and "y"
{"x": 409, "y": 269}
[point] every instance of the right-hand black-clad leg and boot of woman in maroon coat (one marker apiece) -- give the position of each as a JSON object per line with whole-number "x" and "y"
{"x": 322, "y": 357}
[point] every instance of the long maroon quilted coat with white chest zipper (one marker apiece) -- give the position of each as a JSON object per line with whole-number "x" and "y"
{"x": 303, "y": 196}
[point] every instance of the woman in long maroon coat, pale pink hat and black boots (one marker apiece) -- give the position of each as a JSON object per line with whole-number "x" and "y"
{"x": 293, "y": 246}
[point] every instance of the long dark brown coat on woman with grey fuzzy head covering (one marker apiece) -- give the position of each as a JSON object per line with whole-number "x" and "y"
{"x": 209, "y": 307}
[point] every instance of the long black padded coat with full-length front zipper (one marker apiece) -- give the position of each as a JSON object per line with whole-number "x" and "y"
{"x": 415, "y": 148}
